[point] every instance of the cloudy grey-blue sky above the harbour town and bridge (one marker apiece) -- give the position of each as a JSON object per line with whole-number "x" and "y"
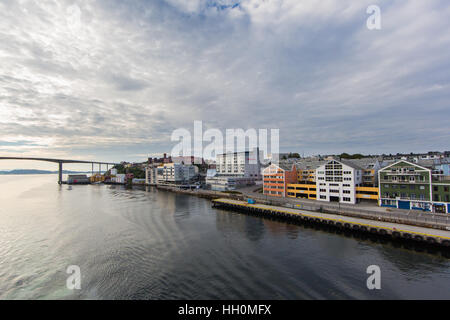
{"x": 111, "y": 80}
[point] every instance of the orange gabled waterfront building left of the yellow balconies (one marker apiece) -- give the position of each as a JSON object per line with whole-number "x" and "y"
{"x": 277, "y": 177}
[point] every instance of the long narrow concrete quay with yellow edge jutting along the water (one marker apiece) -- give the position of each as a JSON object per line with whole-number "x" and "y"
{"x": 381, "y": 228}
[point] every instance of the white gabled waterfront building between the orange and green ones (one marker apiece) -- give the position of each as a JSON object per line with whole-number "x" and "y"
{"x": 336, "y": 181}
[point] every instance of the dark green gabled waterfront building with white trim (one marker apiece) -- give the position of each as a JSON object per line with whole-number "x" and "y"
{"x": 405, "y": 185}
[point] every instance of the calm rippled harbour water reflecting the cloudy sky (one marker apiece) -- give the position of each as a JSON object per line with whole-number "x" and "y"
{"x": 149, "y": 244}
